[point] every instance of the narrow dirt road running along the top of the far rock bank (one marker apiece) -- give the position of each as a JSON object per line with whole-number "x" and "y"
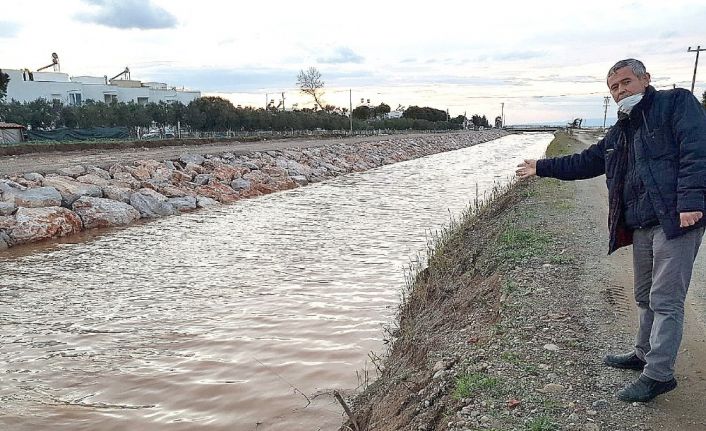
{"x": 51, "y": 161}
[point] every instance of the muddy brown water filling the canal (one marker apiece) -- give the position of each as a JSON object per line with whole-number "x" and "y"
{"x": 236, "y": 318}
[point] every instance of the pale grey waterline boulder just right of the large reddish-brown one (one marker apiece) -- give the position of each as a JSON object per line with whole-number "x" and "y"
{"x": 99, "y": 212}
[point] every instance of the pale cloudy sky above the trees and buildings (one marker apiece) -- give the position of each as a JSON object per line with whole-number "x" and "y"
{"x": 546, "y": 61}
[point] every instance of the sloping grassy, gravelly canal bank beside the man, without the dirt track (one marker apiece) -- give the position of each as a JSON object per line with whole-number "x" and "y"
{"x": 491, "y": 334}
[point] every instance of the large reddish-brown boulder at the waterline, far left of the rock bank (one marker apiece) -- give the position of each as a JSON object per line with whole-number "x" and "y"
{"x": 38, "y": 224}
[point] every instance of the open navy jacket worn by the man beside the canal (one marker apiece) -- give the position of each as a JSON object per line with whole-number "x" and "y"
{"x": 670, "y": 159}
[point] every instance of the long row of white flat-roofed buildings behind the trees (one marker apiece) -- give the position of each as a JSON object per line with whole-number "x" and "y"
{"x": 25, "y": 86}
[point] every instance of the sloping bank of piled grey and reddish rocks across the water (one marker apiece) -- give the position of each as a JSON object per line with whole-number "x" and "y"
{"x": 36, "y": 207}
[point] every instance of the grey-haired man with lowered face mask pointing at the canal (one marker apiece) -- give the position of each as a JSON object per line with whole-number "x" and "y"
{"x": 654, "y": 159}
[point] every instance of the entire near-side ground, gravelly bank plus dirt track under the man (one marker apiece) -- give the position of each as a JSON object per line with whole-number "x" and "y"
{"x": 506, "y": 327}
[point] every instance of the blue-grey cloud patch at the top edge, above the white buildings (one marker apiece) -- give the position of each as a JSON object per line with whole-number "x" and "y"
{"x": 128, "y": 14}
